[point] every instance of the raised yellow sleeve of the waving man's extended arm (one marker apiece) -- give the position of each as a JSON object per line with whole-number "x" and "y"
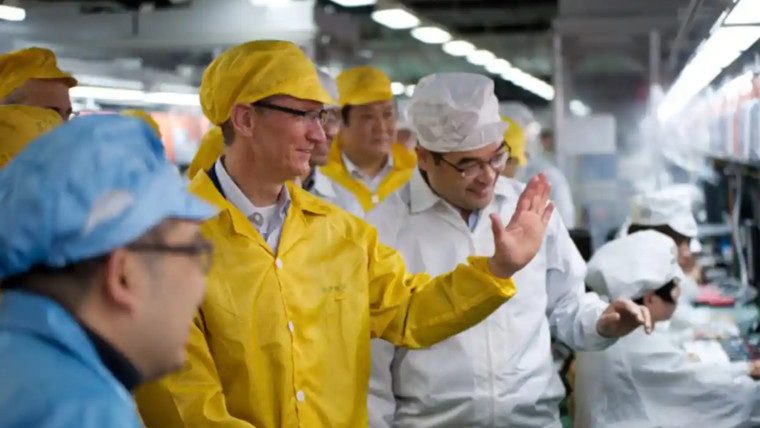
{"x": 417, "y": 311}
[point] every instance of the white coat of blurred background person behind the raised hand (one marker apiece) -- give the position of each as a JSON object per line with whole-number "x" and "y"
{"x": 561, "y": 194}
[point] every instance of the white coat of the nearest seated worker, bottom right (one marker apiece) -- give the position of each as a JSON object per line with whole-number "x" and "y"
{"x": 648, "y": 382}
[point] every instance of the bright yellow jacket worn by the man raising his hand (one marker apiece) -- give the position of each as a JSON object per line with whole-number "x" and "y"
{"x": 283, "y": 340}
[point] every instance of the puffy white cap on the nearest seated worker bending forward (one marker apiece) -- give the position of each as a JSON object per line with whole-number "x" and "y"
{"x": 632, "y": 265}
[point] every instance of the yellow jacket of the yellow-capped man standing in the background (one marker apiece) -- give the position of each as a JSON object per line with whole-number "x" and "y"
{"x": 404, "y": 162}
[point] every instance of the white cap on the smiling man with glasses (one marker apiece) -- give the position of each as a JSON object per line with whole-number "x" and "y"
{"x": 456, "y": 112}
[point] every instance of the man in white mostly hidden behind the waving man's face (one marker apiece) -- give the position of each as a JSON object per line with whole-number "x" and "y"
{"x": 315, "y": 181}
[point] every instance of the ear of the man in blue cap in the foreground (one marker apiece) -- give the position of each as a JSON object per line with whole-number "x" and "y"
{"x": 121, "y": 280}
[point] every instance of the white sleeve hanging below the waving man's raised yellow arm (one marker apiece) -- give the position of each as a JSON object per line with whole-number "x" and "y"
{"x": 381, "y": 402}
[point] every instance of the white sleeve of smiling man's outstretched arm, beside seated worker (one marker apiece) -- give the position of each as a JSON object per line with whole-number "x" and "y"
{"x": 572, "y": 313}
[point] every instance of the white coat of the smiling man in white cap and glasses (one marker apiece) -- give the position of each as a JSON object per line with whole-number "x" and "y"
{"x": 500, "y": 372}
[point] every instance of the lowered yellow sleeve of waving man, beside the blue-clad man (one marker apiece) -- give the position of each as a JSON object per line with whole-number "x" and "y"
{"x": 191, "y": 398}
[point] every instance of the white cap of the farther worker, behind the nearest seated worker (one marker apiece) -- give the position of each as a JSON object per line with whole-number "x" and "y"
{"x": 665, "y": 207}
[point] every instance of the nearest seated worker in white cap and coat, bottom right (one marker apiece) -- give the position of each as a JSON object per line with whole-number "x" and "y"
{"x": 648, "y": 381}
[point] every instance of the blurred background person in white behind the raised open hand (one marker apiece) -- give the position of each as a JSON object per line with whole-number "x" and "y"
{"x": 538, "y": 161}
